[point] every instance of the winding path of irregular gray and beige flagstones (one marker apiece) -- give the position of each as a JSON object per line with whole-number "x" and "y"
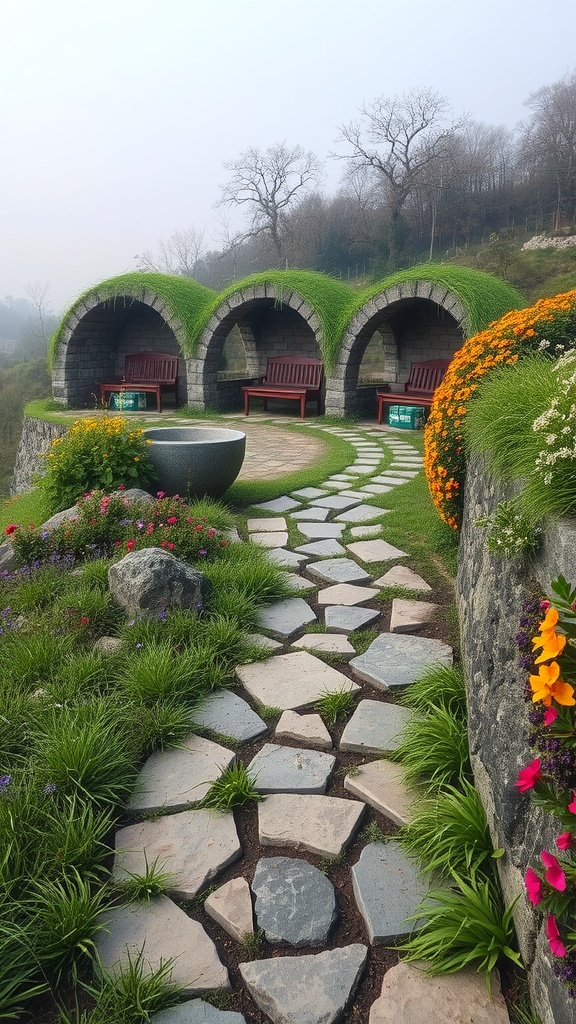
{"x": 289, "y": 899}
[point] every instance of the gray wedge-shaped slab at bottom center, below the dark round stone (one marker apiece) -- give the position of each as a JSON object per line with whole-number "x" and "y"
{"x": 311, "y": 990}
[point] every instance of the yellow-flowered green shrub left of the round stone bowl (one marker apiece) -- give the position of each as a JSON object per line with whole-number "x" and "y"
{"x": 103, "y": 452}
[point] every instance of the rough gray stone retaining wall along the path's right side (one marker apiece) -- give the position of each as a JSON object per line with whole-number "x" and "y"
{"x": 490, "y": 595}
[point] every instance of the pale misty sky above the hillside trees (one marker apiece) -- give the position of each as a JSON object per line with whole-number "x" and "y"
{"x": 117, "y": 116}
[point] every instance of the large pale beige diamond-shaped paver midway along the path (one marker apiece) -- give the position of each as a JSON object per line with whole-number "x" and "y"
{"x": 292, "y": 681}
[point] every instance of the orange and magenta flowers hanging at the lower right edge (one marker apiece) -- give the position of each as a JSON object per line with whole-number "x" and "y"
{"x": 551, "y": 778}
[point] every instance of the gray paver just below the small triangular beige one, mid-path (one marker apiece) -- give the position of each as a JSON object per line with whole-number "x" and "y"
{"x": 290, "y": 770}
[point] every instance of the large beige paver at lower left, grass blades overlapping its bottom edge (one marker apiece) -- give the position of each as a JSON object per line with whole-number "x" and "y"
{"x": 166, "y": 932}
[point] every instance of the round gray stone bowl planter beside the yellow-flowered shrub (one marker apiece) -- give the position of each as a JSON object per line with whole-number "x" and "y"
{"x": 196, "y": 461}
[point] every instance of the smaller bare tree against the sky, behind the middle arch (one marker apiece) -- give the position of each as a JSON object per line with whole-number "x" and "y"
{"x": 269, "y": 184}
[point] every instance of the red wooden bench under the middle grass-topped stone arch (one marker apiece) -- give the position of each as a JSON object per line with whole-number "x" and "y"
{"x": 298, "y": 377}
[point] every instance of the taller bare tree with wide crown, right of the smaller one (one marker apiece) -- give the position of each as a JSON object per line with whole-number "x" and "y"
{"x": 400, "y": 140}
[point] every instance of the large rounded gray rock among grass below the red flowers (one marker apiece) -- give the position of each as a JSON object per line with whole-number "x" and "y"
{"x": 148, "y": 582}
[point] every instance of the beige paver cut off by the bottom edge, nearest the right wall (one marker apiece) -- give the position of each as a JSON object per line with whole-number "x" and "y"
{"x": 409, "y": 996}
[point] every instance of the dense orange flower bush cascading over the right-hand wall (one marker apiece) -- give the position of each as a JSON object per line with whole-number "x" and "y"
{"x": 550, "y": 325}
